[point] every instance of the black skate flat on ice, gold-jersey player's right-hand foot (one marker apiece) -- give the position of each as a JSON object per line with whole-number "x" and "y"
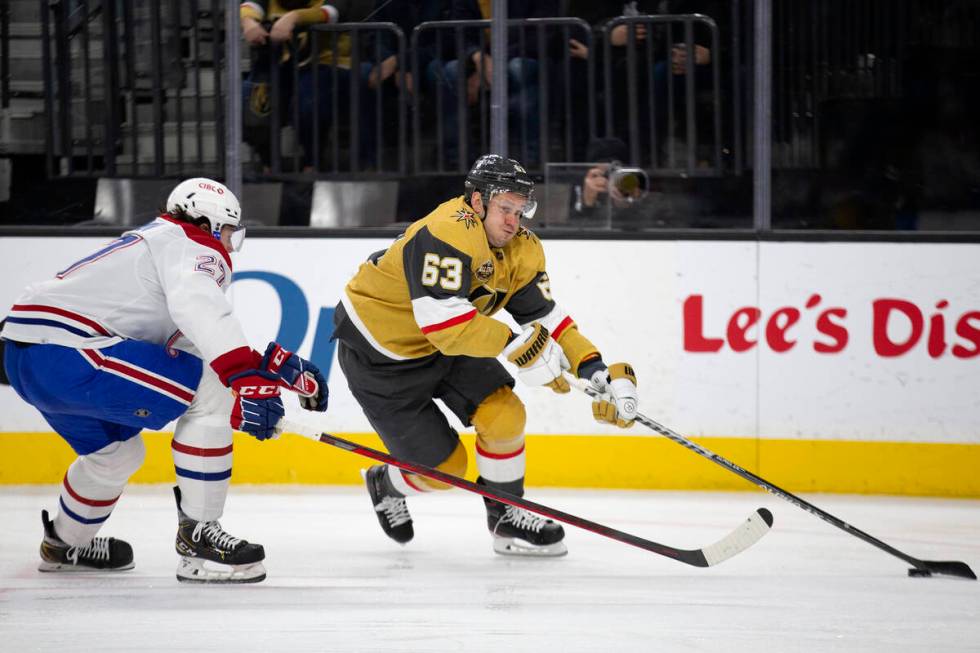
{"x": 519, "y": 532}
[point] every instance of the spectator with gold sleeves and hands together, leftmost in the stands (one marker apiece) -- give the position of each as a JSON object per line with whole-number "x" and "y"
{"x": 283, "y": 17}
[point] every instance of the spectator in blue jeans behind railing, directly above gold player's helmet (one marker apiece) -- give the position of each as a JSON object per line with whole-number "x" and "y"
{"x": 522, "y": 76}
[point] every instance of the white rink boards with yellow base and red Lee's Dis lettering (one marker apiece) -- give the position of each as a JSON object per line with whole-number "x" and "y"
{"x": 834, "y": 366}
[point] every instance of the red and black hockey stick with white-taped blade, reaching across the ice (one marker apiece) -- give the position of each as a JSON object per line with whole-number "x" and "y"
{"x": 747, "y": 534}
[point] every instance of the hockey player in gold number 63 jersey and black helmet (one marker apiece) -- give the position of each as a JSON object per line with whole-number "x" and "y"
{"x": 414, "y": 324}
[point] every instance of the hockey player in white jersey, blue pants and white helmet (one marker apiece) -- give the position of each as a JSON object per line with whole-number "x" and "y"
{"x": 133, "y": 336}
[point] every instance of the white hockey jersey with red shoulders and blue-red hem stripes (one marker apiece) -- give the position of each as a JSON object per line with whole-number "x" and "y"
{"x": 152, "y": 284}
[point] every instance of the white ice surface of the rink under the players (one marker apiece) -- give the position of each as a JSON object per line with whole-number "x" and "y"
{"x": 337, "y": 584}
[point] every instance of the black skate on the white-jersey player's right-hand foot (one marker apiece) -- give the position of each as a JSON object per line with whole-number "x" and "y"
{"x": 201, "y": 542}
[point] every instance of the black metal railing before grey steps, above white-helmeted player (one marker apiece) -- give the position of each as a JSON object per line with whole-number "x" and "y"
{"x": 147, "y": 63}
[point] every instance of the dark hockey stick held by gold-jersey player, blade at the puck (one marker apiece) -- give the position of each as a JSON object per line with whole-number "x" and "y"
{"x": 920, "y": 567}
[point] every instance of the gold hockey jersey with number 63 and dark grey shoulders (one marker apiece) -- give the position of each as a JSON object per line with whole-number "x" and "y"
{"x": 436, "y": 287}
